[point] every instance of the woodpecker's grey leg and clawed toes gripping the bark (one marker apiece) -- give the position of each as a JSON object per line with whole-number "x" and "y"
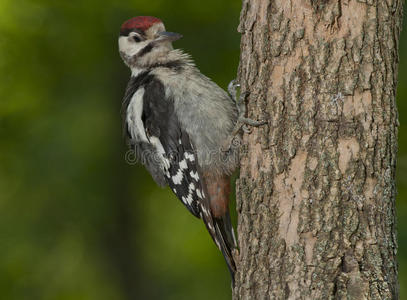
{"x": 242, "y": 121}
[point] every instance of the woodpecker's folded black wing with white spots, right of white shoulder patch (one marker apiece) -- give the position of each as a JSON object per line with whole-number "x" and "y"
{"x": 173, "y": 147}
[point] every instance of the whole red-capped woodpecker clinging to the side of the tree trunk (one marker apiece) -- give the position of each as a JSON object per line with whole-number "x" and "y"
{"x": 181, "y": 125}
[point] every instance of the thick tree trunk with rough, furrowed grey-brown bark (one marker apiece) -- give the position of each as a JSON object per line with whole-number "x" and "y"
{"x": 316, "y": 193}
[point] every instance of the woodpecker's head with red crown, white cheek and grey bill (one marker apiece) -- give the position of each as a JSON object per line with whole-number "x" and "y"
{"x": 143, "y": 38}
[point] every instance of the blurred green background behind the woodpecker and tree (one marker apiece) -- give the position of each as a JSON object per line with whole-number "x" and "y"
{"x": 77, "y": 222}
